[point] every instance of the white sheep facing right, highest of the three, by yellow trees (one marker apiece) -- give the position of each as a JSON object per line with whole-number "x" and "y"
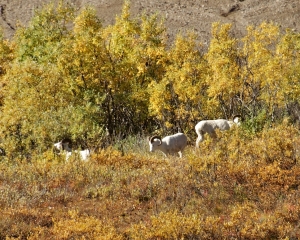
{"x": 209, "y": 127}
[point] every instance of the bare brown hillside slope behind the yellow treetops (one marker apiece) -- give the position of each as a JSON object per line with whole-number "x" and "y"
{"x": 180, "y": 15}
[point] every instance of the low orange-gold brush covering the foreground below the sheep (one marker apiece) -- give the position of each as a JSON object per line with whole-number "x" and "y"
{"x": 236, "y": 188}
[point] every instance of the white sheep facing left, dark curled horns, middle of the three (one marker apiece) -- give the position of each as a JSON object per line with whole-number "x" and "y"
{"x": 169, "y": 145}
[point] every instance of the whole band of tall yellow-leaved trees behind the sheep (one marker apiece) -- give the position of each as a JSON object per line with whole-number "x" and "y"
{"x": 66, "y": 75}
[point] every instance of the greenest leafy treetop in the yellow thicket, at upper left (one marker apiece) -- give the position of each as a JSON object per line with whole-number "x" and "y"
{"x": 41, "y": 40}
